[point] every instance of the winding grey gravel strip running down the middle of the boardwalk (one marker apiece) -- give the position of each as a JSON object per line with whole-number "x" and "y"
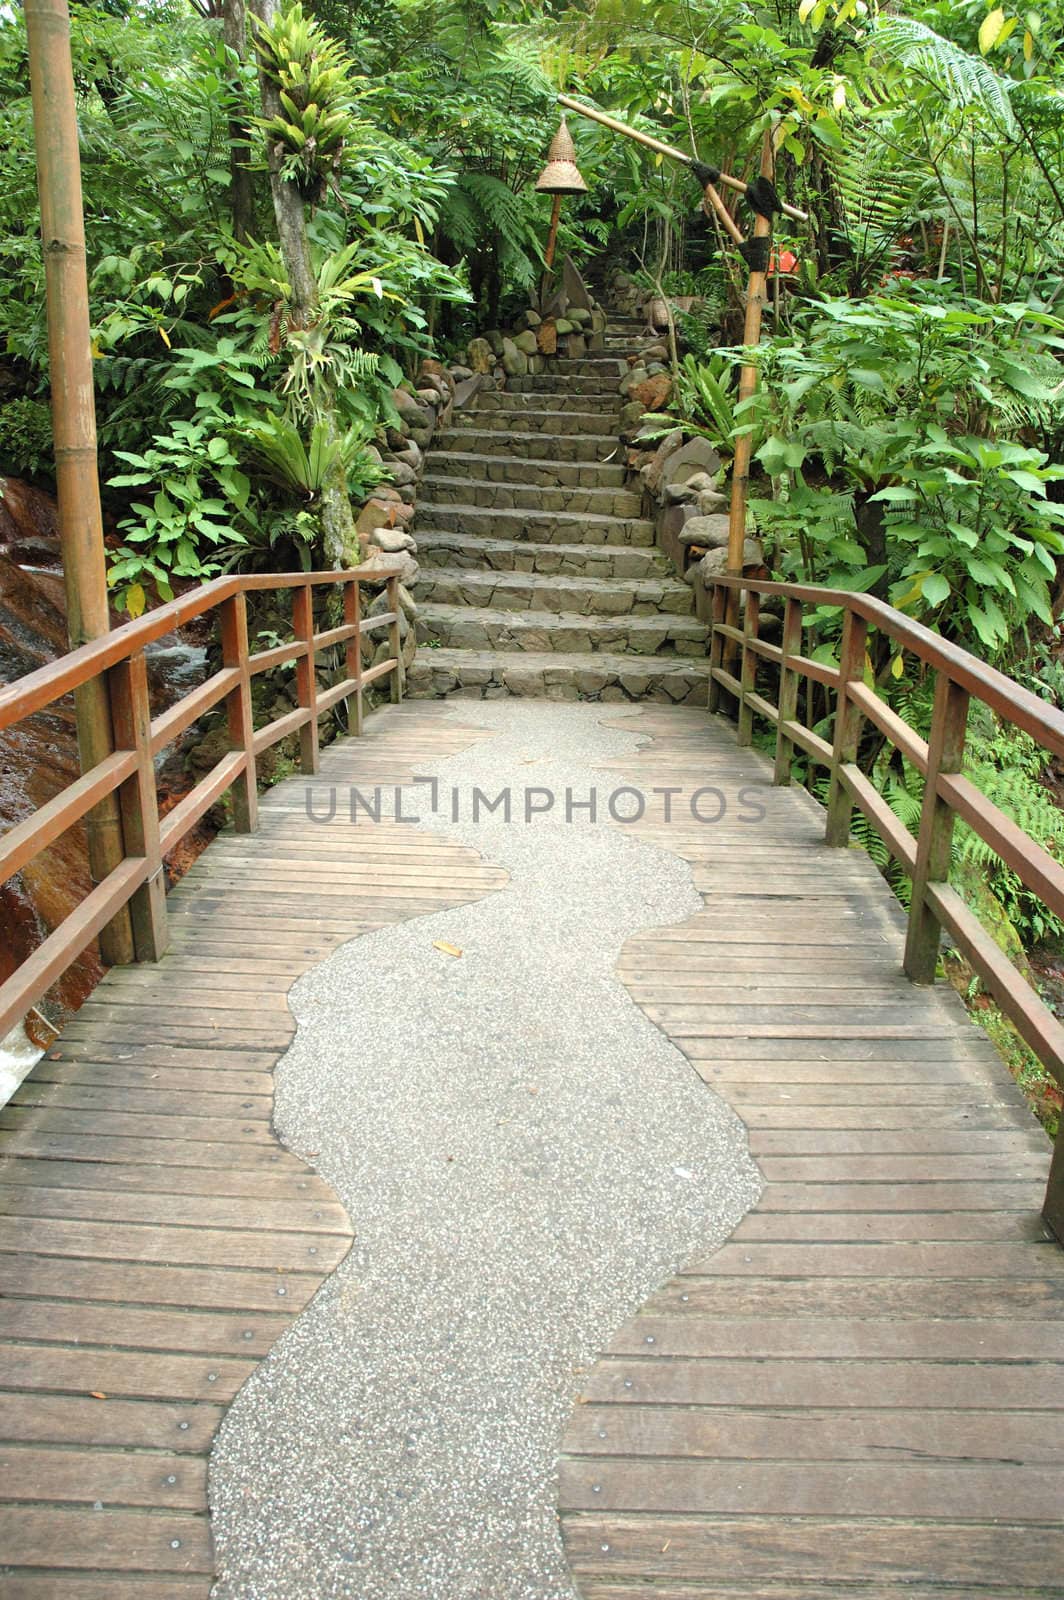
{"x": 526, "y": 1159}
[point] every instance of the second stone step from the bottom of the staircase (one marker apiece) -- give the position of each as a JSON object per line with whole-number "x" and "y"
{"x": 484, "y": 628}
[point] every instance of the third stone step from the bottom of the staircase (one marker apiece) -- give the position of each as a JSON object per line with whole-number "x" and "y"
{"x": 561, "y": 594}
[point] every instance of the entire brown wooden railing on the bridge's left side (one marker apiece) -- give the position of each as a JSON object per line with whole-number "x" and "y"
{"x": 138, "y": 878}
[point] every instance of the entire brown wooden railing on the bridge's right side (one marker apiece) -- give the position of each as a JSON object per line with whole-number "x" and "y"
{"x": 737, "y": 654}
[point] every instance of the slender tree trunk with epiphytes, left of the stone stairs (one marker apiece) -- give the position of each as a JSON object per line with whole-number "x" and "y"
{"x": 338, "y": 524}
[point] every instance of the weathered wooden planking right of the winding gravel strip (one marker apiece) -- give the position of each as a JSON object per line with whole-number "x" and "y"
{"x": 860, "y": 1394}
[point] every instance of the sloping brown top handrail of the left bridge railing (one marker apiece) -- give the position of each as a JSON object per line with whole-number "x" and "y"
{"x": 71, "y": 671}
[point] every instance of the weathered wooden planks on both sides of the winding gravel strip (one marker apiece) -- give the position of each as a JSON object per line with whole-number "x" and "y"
{"x": 858, "y": 1396}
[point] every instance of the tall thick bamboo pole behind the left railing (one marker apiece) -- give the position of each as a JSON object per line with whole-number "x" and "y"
{"x": 74, "y": 417}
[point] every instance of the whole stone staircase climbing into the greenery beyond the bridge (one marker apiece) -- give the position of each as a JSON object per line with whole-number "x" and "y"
{"x": 538, "y": 570}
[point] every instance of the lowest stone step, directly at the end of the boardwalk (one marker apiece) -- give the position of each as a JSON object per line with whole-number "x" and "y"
{"x": 558, "y": 676}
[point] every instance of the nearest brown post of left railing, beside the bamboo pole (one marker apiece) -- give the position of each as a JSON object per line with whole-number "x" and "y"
{"x": 138, "y": 804}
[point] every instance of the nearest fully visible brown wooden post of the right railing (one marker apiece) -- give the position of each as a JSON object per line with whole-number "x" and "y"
{"x": 946, "y": 754}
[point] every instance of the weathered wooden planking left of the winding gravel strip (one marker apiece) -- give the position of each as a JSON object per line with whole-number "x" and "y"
{"x": 154, "y": 1238}
